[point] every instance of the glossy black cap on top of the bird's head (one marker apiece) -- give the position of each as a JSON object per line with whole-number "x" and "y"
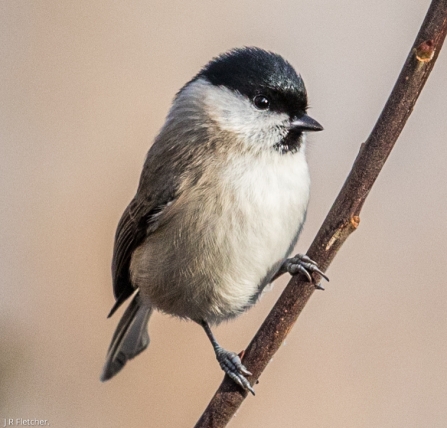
{"x": 253, "y": 71}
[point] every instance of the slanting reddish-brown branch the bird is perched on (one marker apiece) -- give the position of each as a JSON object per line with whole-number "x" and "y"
{"x": 343, "y": 218}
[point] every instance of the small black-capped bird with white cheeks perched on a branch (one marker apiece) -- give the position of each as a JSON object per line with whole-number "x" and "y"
{"x": 221, "y": 201}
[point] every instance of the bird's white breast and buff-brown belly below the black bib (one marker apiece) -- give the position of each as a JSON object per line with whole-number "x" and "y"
{"x": 214, "y": 249}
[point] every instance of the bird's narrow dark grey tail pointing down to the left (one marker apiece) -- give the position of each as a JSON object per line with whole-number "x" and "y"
{"x": 130, "y": 338}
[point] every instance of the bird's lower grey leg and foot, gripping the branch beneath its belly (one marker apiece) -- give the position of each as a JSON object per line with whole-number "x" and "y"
{"x": 229, "y": 361}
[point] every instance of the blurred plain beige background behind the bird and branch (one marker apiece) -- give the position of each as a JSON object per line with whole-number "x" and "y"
{"x": 85, "y": 86}
